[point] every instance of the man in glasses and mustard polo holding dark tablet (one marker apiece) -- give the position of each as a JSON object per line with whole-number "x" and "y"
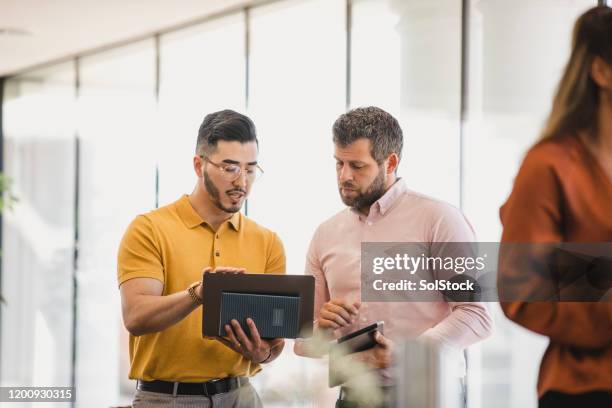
{"x": 160, "y": 263}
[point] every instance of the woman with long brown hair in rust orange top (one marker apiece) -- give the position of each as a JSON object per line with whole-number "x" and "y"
{"x": 563, "y": 193}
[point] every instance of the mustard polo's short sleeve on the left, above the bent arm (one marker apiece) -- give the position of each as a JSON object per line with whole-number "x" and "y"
{"x": 139, "y": 253}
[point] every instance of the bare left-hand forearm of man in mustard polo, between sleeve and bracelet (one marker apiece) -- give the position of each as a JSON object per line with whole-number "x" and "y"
{"x": 150, "y": 314}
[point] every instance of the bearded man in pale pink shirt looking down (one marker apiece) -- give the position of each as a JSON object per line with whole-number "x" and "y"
{"x": 368, "y": 146}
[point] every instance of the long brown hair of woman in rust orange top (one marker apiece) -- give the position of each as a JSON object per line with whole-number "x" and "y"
{"x": 576, "y": 102}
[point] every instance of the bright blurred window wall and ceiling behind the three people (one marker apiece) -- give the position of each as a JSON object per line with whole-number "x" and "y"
{"x": 93, "y": 139}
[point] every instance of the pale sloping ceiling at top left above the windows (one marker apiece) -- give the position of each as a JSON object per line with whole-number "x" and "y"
{"x": 35, "y": 32}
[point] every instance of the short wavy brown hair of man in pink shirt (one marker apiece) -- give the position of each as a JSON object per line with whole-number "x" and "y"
{"x": 372, "y": 123}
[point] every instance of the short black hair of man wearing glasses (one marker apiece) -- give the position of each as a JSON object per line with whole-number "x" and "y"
{"x": 224, "y": 125}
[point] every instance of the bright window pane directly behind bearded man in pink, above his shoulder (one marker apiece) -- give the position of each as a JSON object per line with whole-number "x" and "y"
{"x": 406, "y": 58}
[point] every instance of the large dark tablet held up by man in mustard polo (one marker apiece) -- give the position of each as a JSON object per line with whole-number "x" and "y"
{"x": 282, "y": 306}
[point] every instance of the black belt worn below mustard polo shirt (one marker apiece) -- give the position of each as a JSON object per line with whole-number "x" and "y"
{"x": 207, "y": 389}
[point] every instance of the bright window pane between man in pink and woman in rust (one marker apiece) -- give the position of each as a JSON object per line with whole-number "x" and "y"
{"x": 513, "y": 74}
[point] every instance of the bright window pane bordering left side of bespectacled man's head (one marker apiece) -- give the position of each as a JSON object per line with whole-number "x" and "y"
{"x": 202, "y": 70}
